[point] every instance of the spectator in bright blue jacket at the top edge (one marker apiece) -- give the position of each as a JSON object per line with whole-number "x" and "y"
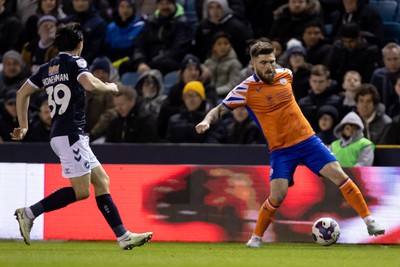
{"x": 122, "y": 33}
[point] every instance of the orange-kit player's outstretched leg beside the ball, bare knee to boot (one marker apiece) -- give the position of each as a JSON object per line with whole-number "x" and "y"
{"x": 352, "y": 194}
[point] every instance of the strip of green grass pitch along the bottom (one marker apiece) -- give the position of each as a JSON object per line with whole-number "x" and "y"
{"x": 163, "y": 254}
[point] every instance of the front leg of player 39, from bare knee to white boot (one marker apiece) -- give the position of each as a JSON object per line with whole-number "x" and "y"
{"x": 106, "y": 205}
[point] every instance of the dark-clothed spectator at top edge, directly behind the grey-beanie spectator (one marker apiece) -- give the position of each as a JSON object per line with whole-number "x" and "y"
{"x": 44, "y": 8}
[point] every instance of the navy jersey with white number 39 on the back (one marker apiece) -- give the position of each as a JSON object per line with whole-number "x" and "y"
{"x": 66, "y": 95}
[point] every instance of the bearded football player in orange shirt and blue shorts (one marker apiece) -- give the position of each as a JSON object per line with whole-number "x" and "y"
{"x": 268, "y": 97}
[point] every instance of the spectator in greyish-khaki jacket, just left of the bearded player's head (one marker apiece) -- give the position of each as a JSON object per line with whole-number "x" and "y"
{"x": 224, "y": 65}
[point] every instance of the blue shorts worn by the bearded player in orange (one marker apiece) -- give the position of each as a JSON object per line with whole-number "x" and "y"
{"x": 311, "y": 152}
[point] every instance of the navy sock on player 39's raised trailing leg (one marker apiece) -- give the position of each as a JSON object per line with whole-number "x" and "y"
{"x": 56, "y": 200}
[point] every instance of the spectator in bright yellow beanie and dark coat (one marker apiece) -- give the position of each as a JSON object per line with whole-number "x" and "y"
{"x": 181, "y": 126}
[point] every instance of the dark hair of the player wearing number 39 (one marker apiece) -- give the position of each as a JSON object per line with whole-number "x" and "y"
{"x": 68, "y": 36}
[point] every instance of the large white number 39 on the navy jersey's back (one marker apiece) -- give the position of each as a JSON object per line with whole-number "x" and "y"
{"x": 57, "y": 102}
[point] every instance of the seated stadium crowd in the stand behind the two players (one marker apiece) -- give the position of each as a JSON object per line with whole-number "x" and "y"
{"x": 175, "y": 60}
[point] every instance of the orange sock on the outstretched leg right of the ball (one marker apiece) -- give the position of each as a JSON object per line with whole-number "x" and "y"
{"x": 354, "y": 197}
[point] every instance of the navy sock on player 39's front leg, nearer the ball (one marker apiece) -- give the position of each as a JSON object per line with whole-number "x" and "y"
{"x": 110, "y": 212}
